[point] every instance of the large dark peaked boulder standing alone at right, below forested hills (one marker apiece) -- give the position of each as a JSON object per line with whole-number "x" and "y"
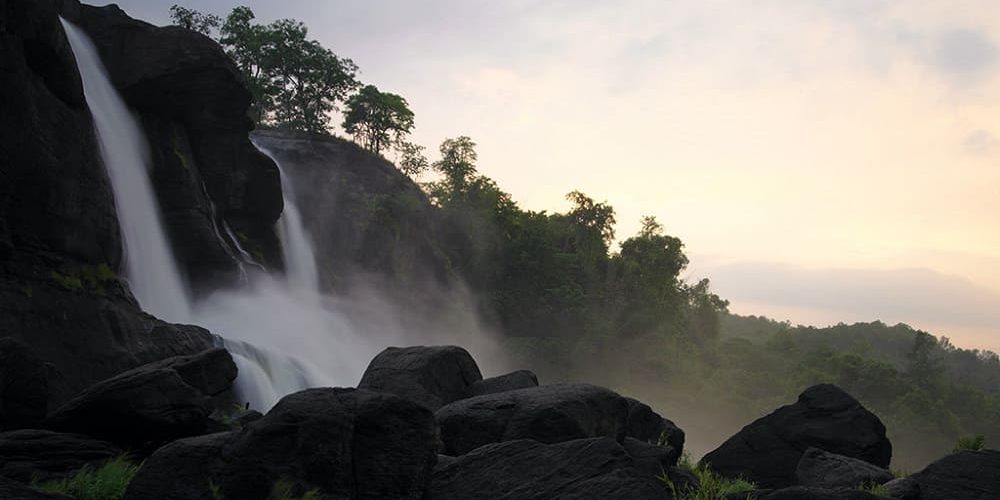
{"x": 768, "y": 450}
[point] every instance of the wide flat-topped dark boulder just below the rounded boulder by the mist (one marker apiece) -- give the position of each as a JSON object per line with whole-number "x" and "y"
{"x": 549, "y": 414}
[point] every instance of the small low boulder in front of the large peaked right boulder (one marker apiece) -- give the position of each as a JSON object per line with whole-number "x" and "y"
{"x": 822, "y": 469}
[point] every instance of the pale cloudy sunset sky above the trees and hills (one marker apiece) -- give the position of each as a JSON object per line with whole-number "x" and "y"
{"x": 822, "y": 161}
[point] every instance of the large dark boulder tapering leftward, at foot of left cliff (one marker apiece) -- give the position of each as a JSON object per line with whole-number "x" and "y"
{"x": 152, "y": 404}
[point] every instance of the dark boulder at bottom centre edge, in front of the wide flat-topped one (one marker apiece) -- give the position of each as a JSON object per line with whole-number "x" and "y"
{"x": 528, "y": 470}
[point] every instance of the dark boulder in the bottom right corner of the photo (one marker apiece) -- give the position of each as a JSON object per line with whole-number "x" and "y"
{"x": 969, "y": 475}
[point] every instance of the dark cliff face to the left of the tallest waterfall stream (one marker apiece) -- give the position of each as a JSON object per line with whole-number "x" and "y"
{"x": 59, "y": 237}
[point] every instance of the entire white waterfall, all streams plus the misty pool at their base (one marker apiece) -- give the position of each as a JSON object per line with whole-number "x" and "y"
{"x": 284, "y": 334}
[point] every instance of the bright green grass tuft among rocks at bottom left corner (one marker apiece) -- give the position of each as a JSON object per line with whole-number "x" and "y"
{"x": 107, "y": 482}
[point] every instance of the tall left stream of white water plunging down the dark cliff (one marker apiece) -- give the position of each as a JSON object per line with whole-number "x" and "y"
{"x": 150, "y": 268}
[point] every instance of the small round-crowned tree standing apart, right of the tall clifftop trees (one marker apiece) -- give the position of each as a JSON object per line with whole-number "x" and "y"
{"x": 377, "y": 119}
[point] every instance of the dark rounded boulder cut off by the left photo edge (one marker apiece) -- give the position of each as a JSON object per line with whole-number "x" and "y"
{"x": 24, "y": 386}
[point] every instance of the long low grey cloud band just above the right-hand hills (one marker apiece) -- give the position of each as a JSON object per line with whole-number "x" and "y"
{"x": 914, "y": 295}
